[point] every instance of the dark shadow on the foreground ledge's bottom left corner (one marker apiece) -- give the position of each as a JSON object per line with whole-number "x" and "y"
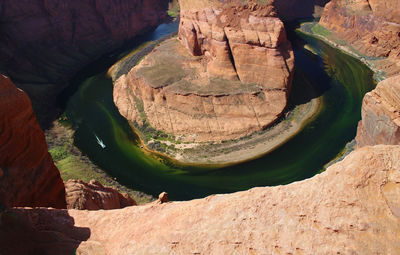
{"x": 39, "y": 231}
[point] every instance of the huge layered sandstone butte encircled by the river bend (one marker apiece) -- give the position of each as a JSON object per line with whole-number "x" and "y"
{"x": 233, "y": 80}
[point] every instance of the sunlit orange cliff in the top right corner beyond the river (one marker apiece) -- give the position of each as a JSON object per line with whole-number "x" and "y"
{"x": 371, "y": 27}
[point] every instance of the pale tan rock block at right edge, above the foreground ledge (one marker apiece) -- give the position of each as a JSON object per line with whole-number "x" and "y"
{"x": 380, "y": 122}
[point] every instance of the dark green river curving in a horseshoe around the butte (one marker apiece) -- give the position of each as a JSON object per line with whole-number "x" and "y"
{"x": 340, "y": 80}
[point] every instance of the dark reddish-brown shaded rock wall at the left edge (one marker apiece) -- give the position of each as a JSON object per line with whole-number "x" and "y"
{"x": 28, "y": 176}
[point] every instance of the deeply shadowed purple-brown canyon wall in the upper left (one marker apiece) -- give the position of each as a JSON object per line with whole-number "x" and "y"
{"x": 44, "y": 42}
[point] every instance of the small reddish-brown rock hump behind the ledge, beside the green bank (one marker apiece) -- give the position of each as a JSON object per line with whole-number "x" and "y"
{"x": 94, "y": 196}
